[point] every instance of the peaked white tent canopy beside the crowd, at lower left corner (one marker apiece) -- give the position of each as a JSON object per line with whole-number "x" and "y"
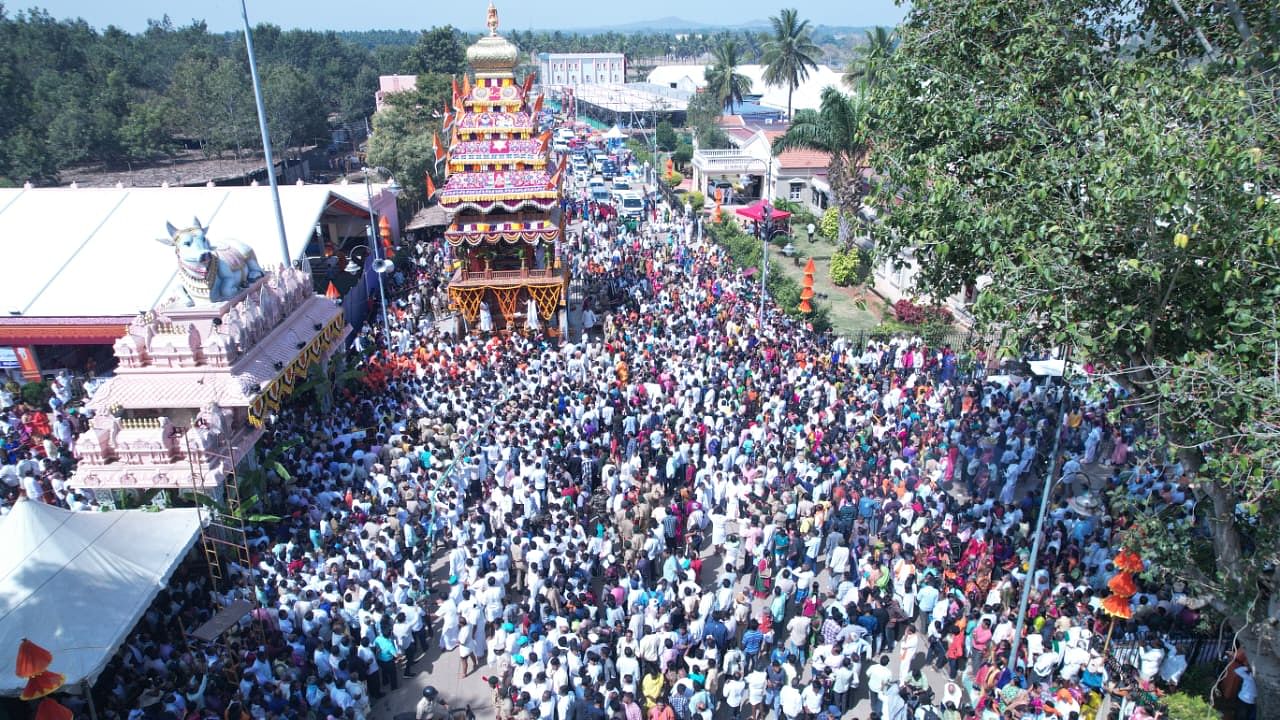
{"x": 77, "y": 584}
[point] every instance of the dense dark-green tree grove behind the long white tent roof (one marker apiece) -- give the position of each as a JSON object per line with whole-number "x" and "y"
{"x": 71, "y": 94}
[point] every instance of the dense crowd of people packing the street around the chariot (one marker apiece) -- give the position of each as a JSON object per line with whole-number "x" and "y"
{"x": 682, "y": 517}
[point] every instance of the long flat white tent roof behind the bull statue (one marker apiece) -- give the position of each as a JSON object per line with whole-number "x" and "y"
{"x": 93, "y": 252}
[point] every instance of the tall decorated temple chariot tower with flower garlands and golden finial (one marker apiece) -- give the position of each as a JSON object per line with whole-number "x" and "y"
{"x": 505, "y": 195}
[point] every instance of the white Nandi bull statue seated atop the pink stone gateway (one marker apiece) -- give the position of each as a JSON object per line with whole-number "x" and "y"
{"x": 211, "y": 274}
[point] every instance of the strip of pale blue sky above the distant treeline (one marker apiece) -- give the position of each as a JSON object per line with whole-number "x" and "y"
{"x": 467, "y": 15}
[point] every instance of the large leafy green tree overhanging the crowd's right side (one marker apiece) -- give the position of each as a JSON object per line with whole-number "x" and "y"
{"x": 1116, "y": 167}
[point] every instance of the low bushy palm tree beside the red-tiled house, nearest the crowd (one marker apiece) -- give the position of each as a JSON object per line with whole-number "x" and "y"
{"x": 839, "y": 127}
